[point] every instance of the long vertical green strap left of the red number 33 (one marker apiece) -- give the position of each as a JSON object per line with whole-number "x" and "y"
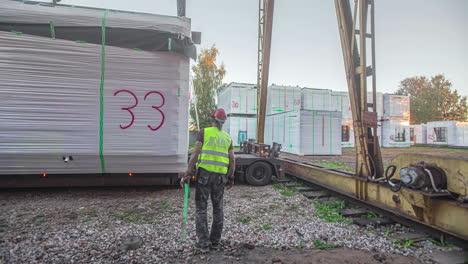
{"x": 101, "y": 93}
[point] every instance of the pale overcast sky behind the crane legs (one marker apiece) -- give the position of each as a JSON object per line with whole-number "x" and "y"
{"x": 413, "y": 37}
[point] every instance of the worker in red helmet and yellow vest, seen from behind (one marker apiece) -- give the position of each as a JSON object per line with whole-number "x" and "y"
{"x": 214, "y": 159}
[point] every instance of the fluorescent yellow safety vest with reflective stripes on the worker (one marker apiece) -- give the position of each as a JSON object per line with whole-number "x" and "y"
{"x": 214, "y": 155}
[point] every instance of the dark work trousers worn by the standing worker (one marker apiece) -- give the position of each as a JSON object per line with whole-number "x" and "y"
{"x": 209, "y": 183}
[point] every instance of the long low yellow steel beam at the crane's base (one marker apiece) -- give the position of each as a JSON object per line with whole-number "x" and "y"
{"x": 443, "y": 214}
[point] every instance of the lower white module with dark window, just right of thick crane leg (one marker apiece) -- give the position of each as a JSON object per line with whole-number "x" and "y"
{"x": 395, "y": 134}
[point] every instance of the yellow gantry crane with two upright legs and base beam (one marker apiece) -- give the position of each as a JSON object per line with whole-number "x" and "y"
{"x": 426, "y": 189}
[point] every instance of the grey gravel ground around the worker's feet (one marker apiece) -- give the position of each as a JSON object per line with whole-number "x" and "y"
{"x": 83, "y": 226}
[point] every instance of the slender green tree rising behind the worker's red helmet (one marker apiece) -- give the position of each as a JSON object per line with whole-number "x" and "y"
{"x": 207, "y": 82}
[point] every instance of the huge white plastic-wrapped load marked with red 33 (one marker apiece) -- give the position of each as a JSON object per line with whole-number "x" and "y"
{"x": 72, "y": 103}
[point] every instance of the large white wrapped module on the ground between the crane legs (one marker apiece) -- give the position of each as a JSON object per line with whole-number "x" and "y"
{"x": 306, "y": 132}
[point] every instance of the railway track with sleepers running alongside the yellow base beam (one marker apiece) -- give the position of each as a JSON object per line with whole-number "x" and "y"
{"x": 359, "y": 211}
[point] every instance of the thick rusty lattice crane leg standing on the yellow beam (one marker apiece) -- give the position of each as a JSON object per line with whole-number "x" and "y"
{"x": 368, "y": 158}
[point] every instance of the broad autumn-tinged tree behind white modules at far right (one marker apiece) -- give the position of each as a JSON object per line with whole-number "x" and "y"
{"x": 433, "y": 99}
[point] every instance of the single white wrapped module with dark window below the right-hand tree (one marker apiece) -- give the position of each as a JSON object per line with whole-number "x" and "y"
{"x": 442, "y": 133}
